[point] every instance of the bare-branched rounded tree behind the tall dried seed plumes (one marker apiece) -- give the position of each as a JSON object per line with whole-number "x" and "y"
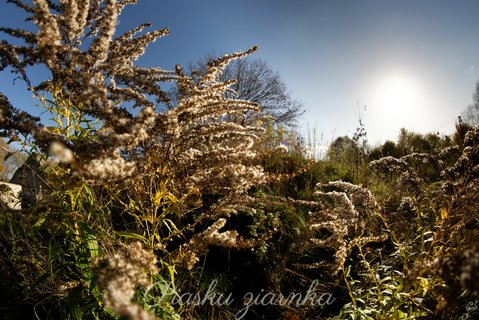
{"x": 255, "y": 81}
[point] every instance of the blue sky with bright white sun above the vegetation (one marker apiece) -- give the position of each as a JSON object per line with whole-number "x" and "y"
{"x": 413, "y": 64}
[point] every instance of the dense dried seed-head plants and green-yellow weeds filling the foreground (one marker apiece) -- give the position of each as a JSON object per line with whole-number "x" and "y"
{"x": 208, "y": 209}
